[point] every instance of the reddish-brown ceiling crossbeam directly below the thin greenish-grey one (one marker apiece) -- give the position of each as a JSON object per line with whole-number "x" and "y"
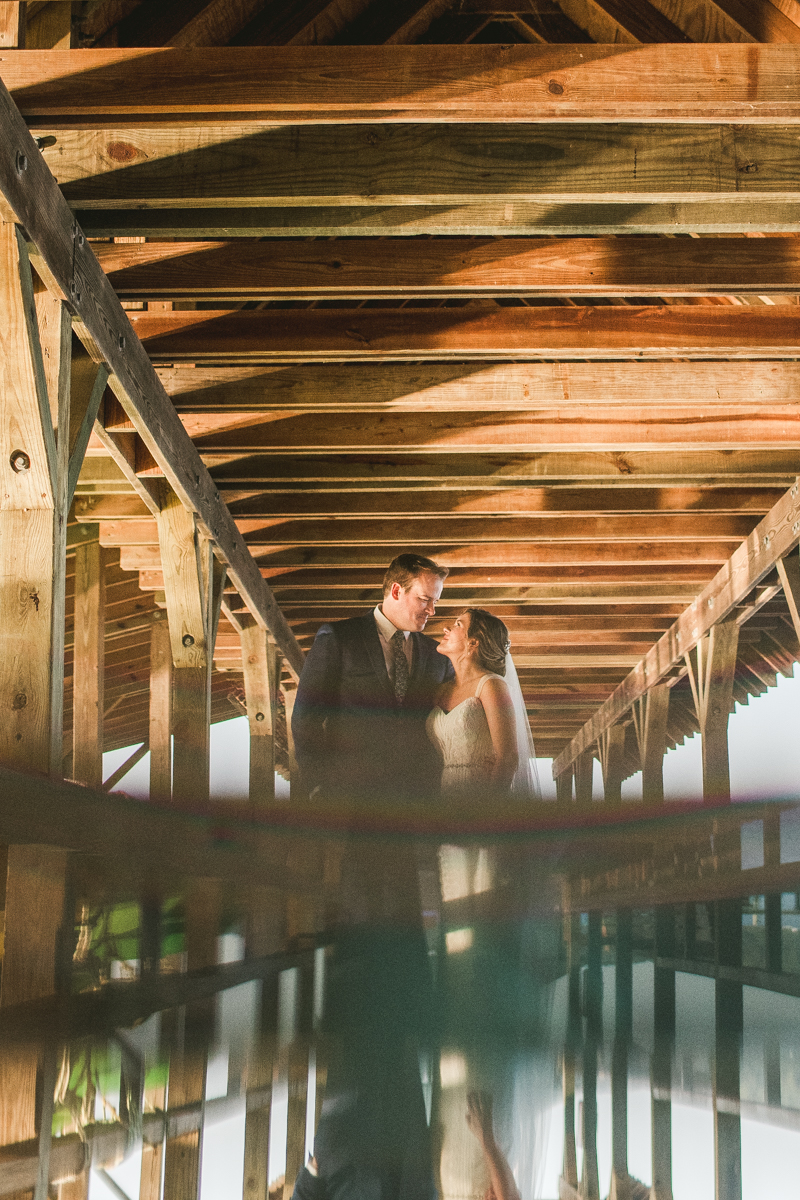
{"x": 453, "y": 267}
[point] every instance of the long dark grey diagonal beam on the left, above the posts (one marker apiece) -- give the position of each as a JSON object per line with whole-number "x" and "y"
{"x": 32, "y": 194}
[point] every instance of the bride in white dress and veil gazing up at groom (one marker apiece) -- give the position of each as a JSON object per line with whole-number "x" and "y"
{"x": 479, "y": 725}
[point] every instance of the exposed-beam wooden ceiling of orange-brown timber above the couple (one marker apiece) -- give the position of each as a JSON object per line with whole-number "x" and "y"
{"x": 395, "y": 310}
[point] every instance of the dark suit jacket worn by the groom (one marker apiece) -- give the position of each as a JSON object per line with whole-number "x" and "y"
{"x": 352, "y": 737}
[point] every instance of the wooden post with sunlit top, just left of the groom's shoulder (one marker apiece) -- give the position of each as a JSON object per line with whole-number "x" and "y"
{"x": 261, "y": 668}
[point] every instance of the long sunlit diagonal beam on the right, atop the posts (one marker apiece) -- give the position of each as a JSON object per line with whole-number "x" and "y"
{"x": 773, "y": 539}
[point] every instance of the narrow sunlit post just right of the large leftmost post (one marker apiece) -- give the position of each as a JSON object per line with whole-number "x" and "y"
{"x": 88, "y": 673}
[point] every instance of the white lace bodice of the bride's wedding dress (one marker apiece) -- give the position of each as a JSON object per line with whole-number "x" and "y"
{"x": 464, "y": 742}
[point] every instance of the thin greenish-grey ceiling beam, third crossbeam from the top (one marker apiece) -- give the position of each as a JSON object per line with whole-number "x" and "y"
{"x": 724, "y": 217}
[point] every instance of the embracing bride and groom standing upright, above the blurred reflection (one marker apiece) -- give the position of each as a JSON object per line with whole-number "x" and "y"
{"x": 383, "y": 713}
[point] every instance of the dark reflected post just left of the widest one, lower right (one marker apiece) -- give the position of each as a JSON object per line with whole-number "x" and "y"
{"x": 664, "y": 1019}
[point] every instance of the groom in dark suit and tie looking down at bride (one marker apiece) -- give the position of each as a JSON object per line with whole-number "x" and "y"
{"x": 366, "y": 689}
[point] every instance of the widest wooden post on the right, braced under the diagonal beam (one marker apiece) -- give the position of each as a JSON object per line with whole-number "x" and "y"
{"x": 712, "y": 679}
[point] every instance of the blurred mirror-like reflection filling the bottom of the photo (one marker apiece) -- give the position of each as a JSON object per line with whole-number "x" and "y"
{"x": 609, "y": 1013}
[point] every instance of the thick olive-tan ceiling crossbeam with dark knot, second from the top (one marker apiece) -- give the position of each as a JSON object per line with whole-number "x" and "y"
{"x": 208, "y": 166}
